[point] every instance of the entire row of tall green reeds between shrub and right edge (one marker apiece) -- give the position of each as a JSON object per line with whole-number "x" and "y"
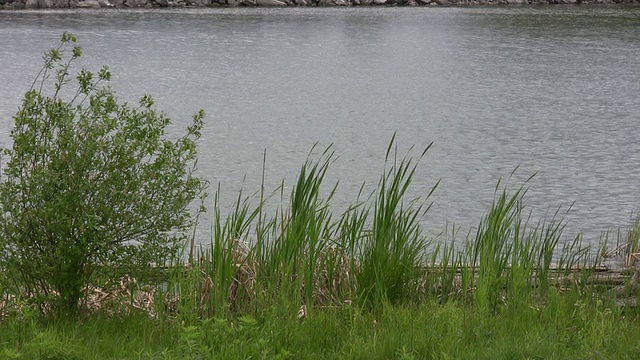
{"x": 375, "y": 253}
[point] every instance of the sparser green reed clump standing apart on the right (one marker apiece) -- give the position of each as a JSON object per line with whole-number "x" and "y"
{"x": 513, "y": 260}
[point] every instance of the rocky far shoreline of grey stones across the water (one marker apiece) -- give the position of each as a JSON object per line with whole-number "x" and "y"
{"x": 99, "y": 4}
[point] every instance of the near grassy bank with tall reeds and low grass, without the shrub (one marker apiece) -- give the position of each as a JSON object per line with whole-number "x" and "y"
{"x": 364, "y": 284}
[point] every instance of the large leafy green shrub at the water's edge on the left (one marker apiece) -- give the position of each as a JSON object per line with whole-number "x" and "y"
{"x": 90, "y": 183}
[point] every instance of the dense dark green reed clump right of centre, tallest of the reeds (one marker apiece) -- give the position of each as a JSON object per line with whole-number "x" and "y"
{"x": 392, "y": 252}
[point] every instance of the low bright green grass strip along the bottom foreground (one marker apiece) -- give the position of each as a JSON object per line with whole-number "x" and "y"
{"x": 566, "y": 328}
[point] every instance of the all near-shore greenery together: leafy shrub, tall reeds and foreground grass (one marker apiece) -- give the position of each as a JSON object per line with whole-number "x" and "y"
{"x": 98, "y": 259}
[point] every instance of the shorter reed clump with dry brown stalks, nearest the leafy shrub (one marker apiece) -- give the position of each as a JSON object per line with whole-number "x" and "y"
{"x": 217, "y": 279}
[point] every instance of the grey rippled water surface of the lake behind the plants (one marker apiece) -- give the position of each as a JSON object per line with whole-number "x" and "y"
{"x": 551, "y": 89}
